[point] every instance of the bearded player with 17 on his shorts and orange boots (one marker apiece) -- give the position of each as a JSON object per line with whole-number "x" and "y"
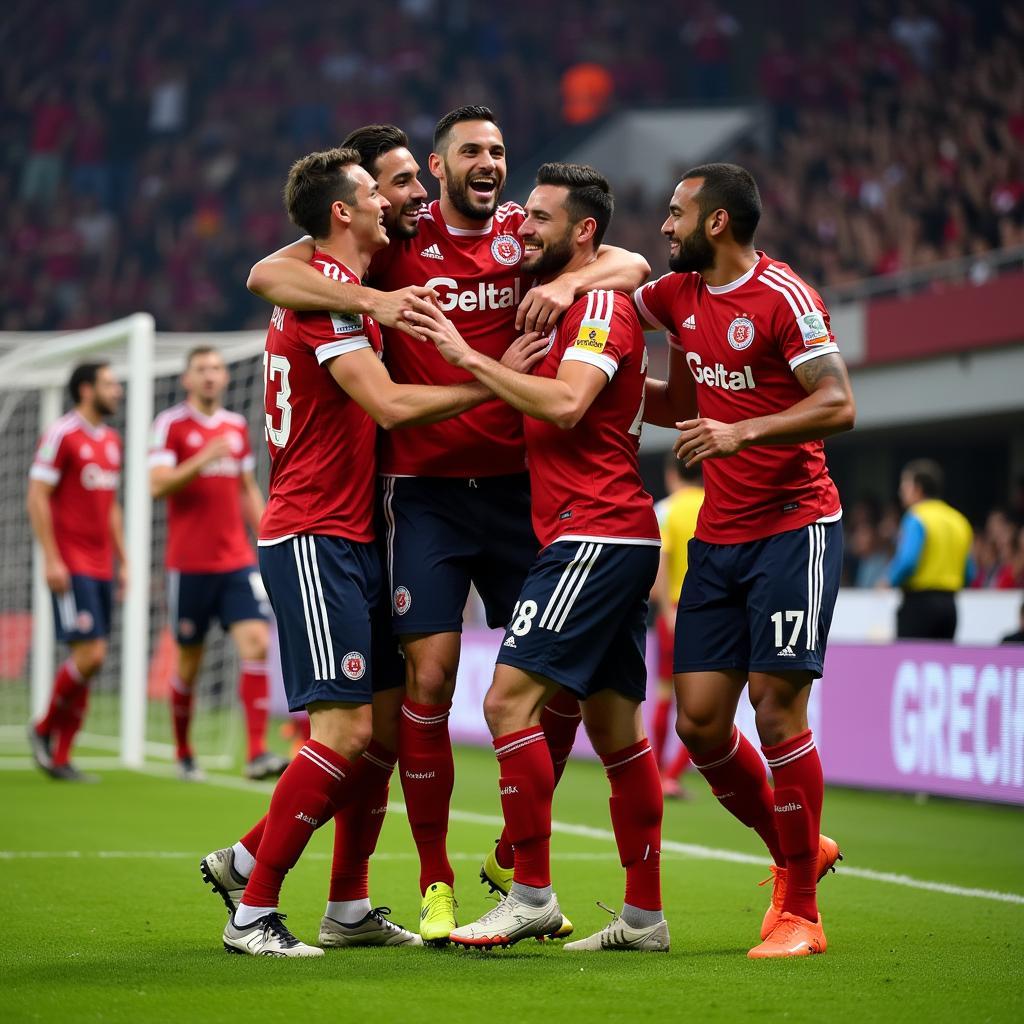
{"x": 753, "y": 345}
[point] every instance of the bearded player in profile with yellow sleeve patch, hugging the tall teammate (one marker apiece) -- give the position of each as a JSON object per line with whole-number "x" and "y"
{"x": 580, "y": 623}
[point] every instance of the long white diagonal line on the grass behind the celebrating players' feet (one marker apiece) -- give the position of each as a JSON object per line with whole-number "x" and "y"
{"x": 684, "y": 850}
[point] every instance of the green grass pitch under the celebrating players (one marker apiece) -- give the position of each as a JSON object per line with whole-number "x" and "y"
{"x": 107, "y": 918}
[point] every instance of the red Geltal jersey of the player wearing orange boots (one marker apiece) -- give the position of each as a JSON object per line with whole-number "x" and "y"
{"x": 743, "y": 343}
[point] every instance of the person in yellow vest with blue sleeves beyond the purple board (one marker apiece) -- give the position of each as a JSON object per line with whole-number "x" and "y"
{"x": 933, "y": 557}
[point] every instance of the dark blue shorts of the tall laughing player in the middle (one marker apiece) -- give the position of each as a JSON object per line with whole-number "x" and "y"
{"x": 444, "y": 534}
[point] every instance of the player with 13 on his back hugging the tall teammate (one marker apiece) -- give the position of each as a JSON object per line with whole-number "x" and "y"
{"x": 326, "y": 392}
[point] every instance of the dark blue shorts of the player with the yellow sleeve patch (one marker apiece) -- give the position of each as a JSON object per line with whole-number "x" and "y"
{"x": 582, "y": 618}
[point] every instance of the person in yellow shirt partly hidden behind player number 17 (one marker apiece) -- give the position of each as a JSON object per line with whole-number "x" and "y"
{"x": 677, "y": 518}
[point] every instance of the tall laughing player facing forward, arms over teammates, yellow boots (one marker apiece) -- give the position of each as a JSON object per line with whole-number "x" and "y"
{"x": 456, "y": 496}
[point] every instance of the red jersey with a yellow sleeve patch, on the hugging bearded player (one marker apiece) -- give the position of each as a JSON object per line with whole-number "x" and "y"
{"x": 586, "y": 482}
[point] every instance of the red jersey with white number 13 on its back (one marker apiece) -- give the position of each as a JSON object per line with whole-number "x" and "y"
{"x": 323, "y": 459}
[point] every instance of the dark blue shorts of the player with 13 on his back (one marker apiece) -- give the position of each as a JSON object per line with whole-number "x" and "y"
{"x": 329, "y": 600}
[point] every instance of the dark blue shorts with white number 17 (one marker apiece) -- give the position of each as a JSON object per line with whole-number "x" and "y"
{"x": 761, "y": 607}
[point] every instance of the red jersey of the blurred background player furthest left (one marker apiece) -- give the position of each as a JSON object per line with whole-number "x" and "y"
{"x": 83, "y": 465}
